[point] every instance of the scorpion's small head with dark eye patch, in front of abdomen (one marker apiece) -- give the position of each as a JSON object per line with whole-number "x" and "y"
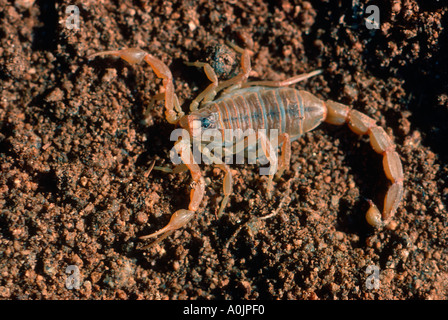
{"x": 199, "y": 121}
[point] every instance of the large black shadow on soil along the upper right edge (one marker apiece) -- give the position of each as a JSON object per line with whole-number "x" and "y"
{"x": 425, "y": 81}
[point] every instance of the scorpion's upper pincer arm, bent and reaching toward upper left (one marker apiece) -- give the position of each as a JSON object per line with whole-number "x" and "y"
{"x": 173, "y": 111}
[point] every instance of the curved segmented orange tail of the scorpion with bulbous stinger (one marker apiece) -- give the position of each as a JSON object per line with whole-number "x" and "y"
{"x": 361, "y": 124}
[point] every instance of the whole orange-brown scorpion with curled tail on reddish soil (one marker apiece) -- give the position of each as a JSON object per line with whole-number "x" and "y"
{"x": 258, "y": 105}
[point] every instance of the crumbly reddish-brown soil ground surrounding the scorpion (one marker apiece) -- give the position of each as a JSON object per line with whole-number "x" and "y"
{"x": 75, "y": 154}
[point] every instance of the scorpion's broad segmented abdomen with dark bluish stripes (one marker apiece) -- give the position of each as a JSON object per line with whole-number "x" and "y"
{"x": 285, "y": 109}
